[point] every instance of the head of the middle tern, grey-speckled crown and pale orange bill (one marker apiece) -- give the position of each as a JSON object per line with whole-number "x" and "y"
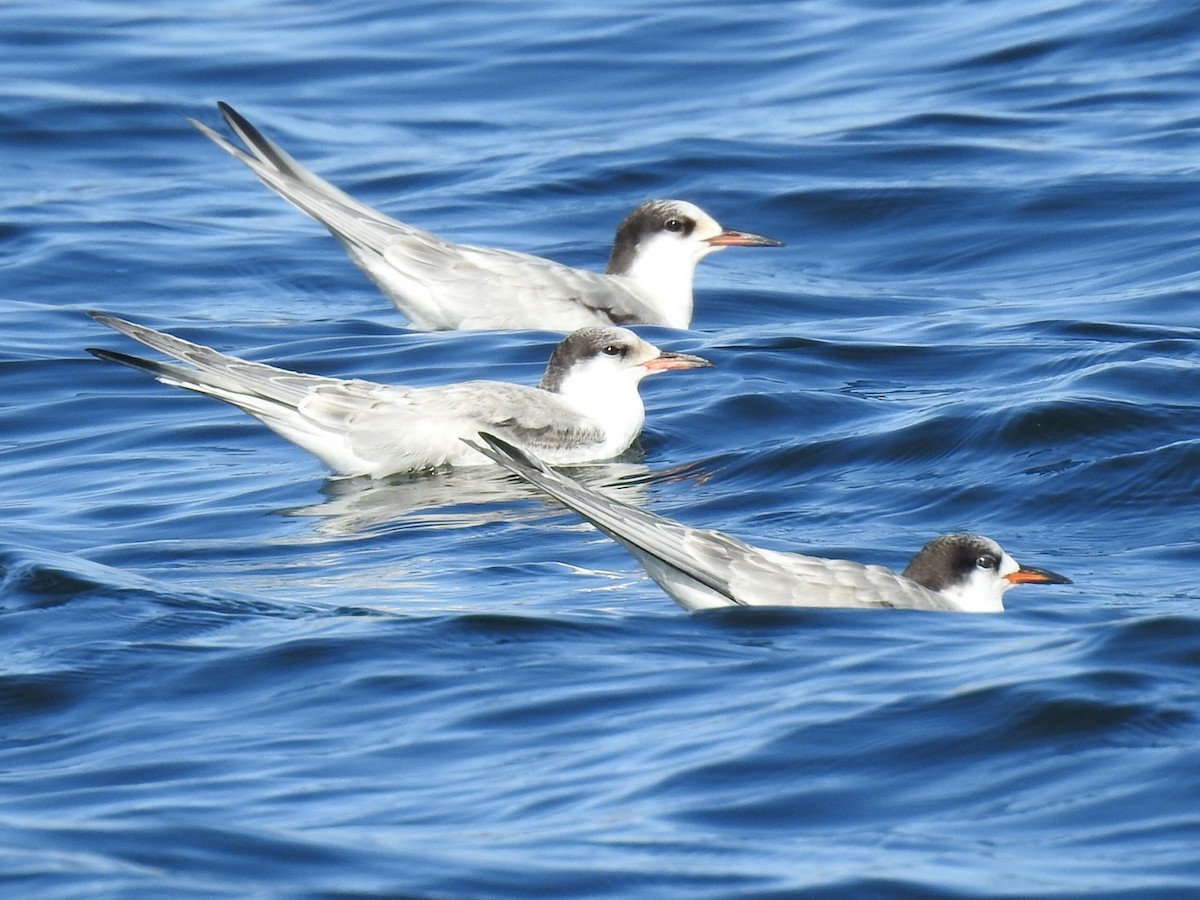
{"x": 601, "y": 359}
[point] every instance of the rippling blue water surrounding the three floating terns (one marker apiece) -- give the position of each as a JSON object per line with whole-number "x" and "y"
{"x": 227, "y": 676}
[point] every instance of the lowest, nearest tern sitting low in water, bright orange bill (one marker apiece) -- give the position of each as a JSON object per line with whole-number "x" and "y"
{"x": 703, "y": 569}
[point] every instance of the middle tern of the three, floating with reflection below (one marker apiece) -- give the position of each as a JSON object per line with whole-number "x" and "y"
{"x": 586, "y": 409}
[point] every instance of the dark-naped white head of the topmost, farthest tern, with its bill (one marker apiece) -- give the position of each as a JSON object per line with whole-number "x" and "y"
{"x": 665, "y": 239}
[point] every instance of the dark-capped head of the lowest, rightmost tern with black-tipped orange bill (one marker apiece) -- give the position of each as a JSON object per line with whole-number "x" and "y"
{"x": 974, "y": 572}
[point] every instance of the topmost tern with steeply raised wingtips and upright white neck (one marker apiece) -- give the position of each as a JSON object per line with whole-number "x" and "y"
{"x": 442, "y": 286}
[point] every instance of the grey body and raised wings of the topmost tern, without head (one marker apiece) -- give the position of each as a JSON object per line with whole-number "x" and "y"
{"x": 437, "y": 284}
